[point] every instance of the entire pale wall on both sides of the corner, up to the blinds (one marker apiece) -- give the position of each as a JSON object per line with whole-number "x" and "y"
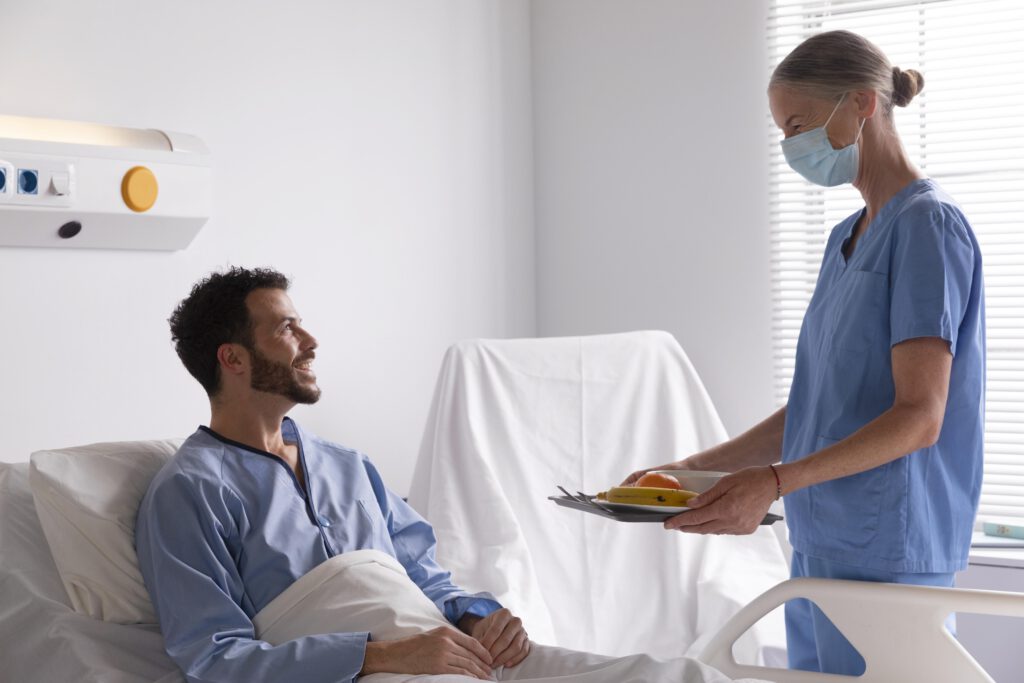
{"x": 380, "y": 152}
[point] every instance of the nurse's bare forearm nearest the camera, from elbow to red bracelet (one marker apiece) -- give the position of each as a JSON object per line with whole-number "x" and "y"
{"x": 899, "y": 432}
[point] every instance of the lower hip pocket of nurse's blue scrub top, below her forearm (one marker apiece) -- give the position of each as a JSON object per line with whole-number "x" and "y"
{"x": 849, "y": 508}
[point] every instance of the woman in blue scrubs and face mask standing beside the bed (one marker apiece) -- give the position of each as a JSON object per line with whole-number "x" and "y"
{"x": 879, "y": 449}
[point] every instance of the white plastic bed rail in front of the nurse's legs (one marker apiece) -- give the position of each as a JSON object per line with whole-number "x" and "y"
{"x": 900, "y": 630}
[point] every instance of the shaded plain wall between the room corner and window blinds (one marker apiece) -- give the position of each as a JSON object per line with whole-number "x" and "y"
{"x": 651, "y": 182}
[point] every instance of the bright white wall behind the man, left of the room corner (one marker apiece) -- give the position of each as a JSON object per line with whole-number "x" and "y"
{"x": 378, "y": 152}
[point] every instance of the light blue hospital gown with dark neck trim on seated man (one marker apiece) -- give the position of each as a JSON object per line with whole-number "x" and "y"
{"x": 225, "y": 529}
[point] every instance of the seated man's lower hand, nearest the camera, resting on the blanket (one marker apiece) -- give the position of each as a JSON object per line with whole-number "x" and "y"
{"x": 443, "y": 651}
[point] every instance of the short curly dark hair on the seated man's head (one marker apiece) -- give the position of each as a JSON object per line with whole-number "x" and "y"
{"x": 216, "y": 314}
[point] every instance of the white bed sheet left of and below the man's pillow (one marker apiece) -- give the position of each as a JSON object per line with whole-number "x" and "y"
{"x": 41, "y": 638}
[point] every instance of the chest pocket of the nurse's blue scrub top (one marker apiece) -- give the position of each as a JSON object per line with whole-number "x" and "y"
{"x": 862, "y": 312}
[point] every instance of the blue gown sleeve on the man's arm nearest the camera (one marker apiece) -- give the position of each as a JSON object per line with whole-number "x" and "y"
{"x": 190, "y": 570}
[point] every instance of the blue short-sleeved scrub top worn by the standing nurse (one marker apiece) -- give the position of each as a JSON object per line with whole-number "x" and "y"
{"x": 915, "y": 273}
